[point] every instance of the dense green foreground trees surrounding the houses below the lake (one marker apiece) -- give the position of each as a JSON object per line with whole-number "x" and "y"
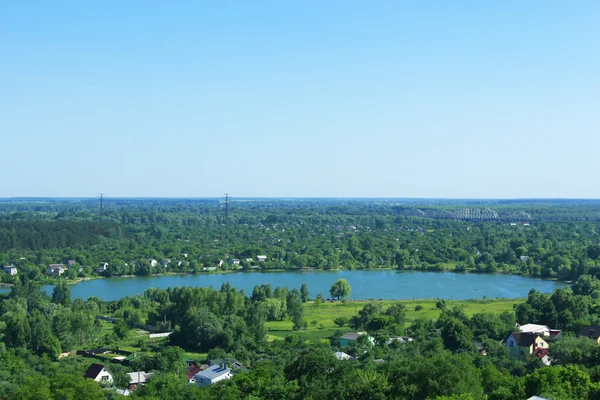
{"x": 444, "y": 361}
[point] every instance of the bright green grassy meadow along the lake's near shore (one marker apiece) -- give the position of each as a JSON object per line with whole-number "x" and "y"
{"x": 320, "y": 317}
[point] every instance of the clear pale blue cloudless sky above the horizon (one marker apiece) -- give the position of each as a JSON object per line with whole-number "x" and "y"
{"x": 495, "y": 99}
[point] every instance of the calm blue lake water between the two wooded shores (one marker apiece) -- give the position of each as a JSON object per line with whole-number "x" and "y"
{"x": 365, "y": 284}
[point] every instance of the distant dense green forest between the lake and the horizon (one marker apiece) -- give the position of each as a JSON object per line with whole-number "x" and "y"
{"x": 310, "y": 234}
